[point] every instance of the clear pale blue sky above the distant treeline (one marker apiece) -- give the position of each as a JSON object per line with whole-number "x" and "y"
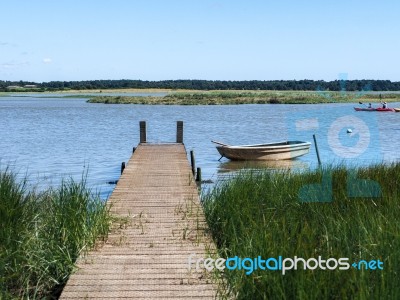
{"x": 215, "y": 40}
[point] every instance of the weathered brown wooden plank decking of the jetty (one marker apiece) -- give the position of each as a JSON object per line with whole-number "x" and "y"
{"x": 148, "y": 257}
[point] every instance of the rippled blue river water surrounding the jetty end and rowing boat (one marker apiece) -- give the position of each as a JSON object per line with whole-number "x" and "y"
{"x": 52, "y": 138}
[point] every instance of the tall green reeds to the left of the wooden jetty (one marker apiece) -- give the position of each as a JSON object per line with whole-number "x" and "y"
{"x": 42, "y": 234}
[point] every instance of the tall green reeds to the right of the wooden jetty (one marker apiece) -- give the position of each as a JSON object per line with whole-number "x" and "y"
{"x": 261, "y": 214}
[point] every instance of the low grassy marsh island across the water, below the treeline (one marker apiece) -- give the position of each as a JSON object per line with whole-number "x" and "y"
{"x": 246, "y": 97}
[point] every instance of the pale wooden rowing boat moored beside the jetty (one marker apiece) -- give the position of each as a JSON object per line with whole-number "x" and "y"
{"x": 275, "y": 151}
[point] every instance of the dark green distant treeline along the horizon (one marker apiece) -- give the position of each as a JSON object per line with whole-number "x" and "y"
{"x": 300, "y": 85}
